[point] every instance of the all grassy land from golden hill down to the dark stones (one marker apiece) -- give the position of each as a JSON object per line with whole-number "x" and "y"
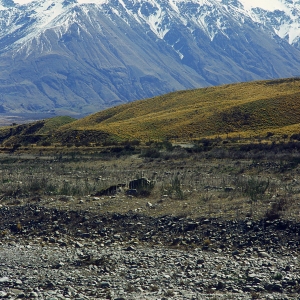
{"x": 229, "y": 152}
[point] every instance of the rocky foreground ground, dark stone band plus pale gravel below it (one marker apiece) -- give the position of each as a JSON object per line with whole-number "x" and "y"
{"x": 51, "y": 254}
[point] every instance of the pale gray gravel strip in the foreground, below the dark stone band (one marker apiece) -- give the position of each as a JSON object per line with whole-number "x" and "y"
{"x": 88, "y": 269}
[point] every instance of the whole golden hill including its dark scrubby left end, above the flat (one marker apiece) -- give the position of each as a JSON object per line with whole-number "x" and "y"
{"x": 268, "y": 110}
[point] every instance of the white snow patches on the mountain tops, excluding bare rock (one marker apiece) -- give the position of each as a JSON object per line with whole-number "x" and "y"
{"x": 47, "y": 13}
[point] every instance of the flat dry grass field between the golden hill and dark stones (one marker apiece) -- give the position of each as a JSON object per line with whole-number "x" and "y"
{"x": 218, "y": 183}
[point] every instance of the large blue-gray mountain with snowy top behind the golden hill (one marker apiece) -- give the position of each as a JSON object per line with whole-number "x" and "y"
{"x": 81, "y": 56}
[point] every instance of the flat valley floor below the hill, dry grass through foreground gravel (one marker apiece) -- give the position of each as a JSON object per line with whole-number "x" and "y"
{"x": 197, "y": 232}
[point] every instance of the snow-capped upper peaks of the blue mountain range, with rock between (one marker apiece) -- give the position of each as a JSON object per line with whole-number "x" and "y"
{"x": 212, "y": 16}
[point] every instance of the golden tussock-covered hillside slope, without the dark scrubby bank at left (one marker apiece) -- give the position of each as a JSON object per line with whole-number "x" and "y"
{"x": 244, "y": 109}
